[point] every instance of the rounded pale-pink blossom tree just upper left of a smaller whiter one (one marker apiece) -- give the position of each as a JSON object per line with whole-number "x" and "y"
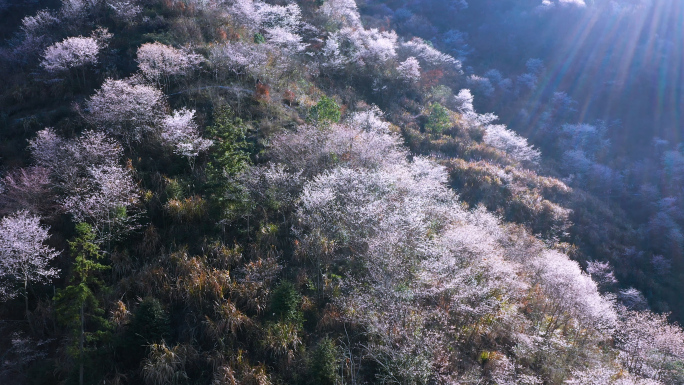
{"x": 126, "y": 109}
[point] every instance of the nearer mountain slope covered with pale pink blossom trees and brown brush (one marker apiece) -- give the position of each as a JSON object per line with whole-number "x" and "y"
{"x": 250, "y": 192}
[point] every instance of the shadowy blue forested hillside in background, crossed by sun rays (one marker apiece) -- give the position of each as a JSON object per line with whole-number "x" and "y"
{"x": 596, "y": 85}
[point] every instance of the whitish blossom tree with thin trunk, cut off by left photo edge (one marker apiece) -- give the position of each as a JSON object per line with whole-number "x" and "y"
{"x": 24, "y": 257}
